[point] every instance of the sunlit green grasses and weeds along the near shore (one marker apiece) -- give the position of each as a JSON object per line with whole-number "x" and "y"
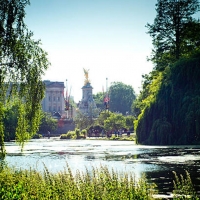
{"x": 99, "y": 184}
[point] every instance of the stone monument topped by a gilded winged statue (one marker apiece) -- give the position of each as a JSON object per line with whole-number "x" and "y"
{"x": 87, "y": 105}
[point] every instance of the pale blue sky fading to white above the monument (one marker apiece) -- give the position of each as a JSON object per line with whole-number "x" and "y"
{"x": 106, "y": 37}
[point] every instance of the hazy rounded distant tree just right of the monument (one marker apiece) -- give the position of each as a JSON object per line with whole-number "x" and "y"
{"x": 121, "y": 97}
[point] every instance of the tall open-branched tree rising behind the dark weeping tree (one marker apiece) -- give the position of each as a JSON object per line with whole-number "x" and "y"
{"x": 174, "y": 31}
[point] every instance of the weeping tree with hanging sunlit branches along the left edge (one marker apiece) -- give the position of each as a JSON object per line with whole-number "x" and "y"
{"x": 22, "y": 64}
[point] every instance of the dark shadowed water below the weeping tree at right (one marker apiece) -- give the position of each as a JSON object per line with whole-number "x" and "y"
{"x": 177, "y": 159}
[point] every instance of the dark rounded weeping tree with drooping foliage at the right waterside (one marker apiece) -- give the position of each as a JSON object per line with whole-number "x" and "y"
{"x": 172, "y": 116}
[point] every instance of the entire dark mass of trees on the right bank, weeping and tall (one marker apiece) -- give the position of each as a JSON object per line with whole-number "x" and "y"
{"x": 168, "y": 107}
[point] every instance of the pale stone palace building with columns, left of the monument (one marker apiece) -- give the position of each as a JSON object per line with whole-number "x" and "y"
{"x": 54, "y": 97}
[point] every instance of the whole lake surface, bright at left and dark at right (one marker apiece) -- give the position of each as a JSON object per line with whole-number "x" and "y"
{"x": 157, "y": 162}
